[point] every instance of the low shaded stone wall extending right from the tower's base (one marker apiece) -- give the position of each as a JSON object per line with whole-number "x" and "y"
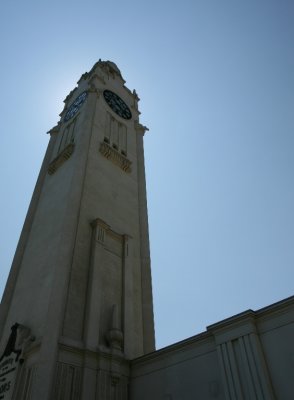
{"x": 247, "y": 357}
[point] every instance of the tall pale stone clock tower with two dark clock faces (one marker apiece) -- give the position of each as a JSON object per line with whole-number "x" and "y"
{"x": 78, "y": 302}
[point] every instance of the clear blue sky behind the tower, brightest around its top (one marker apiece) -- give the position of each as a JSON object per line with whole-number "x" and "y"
{"x": 216, "y": 83}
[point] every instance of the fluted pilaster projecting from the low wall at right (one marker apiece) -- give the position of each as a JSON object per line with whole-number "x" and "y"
{"x": 243, "y": 367}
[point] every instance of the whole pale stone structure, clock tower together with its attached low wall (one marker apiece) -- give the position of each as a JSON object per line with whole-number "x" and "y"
{"x": 76, "y": 318}
